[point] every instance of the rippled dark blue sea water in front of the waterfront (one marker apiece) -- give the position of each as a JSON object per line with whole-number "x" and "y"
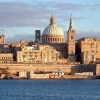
{"x": 49, "y": 89}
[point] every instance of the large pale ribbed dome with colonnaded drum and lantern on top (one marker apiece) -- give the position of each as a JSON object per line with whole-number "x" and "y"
{"x": 53, "y": 33}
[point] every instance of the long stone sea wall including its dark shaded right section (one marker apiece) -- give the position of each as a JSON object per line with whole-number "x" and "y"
{"x": 67, "y": 68}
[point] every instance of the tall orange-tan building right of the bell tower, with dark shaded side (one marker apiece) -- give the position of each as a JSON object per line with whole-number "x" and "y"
{"x": 89, "y": 50}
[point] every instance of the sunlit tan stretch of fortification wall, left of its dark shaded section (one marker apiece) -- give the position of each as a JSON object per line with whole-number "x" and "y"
{"x": 37, "y": 67}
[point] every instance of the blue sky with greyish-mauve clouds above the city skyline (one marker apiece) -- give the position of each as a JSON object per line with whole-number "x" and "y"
{"x": 20, "y": 18}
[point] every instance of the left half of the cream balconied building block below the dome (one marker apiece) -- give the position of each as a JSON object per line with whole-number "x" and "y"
{"x": 28, "y": 54}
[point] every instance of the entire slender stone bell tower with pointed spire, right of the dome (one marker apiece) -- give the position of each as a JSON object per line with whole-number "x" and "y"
{"x": 71, "y": 42}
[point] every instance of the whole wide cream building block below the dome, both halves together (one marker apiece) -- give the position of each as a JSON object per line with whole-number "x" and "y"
{"x": 37, "y": 54}
